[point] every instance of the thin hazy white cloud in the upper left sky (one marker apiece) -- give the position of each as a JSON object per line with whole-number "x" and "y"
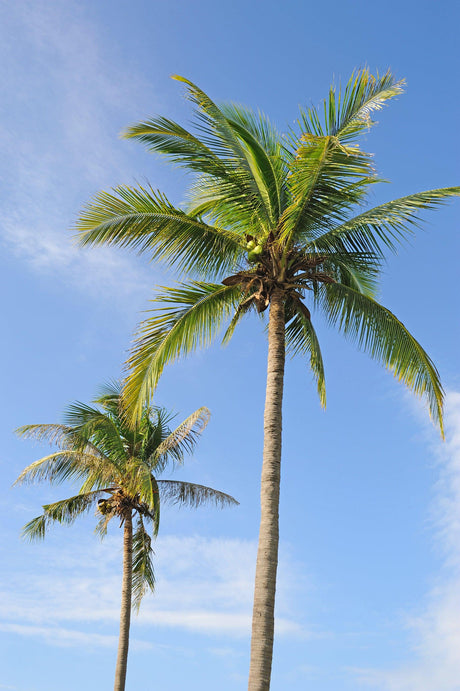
{"x": 57, "y": 151}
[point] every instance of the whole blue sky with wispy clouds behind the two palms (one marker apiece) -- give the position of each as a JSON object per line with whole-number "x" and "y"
{"x": 369, "y": 584}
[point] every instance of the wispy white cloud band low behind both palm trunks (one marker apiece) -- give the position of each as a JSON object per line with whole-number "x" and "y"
{"x": 203, "y": 585}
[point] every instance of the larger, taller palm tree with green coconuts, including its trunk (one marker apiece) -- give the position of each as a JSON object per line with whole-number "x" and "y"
{"x": 271, "y": 218}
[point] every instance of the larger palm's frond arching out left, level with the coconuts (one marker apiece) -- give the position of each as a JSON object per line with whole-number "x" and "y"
{"x": 144, "y": 220}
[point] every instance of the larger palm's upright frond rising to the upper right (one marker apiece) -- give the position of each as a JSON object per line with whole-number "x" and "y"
{"x": 329, "y": 175}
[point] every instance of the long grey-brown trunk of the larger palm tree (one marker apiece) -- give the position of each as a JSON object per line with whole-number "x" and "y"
{"x": 263, "y": 618}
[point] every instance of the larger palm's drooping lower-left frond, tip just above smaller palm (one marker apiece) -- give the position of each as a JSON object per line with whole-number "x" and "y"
{"x": 193, "y": 318}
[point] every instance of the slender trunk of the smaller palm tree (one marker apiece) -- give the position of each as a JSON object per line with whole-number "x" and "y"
{"x": 125, "y": 614}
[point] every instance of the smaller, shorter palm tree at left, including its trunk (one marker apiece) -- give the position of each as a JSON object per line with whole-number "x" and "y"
{"x": 118, "y": 466}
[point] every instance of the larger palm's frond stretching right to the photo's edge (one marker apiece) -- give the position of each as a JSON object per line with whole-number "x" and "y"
{"x": 385, "y": 225}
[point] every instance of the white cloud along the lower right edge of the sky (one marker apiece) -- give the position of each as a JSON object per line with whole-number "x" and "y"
{"x": 435, "y": 630}
